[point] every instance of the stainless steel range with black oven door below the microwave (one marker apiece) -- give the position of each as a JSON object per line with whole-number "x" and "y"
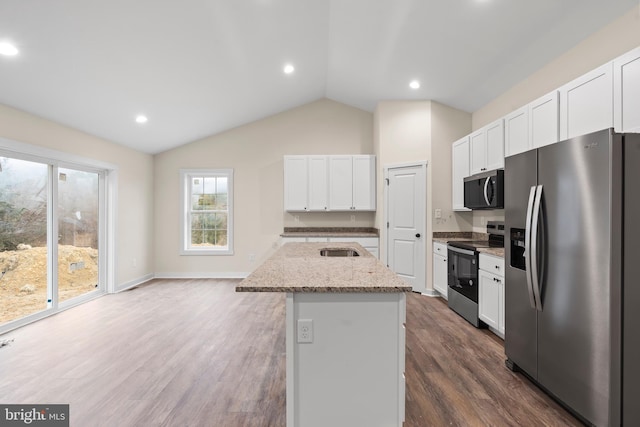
{"x": 462, "y": 277}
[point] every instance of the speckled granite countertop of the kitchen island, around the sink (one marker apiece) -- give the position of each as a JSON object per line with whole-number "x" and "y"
{"x": 298, "y": 267}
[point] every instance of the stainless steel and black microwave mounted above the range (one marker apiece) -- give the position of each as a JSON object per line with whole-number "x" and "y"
{"x": 485, "y": 190}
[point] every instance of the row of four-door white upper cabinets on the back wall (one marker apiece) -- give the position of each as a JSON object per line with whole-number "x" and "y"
{"x": 321, "y": 183}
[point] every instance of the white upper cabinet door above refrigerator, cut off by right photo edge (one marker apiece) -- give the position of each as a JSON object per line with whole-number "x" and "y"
{"x": 626, "y": 99}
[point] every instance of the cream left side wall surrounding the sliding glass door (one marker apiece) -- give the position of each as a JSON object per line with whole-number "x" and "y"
{"x": 134, "y": 221}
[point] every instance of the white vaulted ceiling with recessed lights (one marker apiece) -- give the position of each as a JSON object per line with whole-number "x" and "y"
{"x": 200, "y": 67}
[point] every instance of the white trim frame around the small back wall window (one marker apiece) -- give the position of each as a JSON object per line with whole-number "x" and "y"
{"x": 185, "y": 235}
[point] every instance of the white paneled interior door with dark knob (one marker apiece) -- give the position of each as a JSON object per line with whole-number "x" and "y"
{"x": 406, "y": 216}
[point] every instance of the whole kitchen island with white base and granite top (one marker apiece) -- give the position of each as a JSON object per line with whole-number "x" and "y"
{"x": 345, "y": 335}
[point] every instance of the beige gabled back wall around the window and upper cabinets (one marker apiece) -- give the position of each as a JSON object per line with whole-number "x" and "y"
{"x": 255, "y": 152}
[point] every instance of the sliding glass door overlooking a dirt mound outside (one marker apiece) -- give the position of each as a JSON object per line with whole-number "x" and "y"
{"x": 51, "y": 233}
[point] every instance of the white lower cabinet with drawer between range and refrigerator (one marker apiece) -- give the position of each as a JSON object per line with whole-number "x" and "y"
{"x": 491, "y": 292}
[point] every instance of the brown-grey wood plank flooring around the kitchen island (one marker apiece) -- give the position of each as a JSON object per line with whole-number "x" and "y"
{"x": 196, "y": 353}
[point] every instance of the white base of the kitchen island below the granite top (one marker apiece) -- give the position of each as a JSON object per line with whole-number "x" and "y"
{"x": 352, "y": 374}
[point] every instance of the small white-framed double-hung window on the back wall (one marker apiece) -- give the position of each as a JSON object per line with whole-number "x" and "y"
{"x": 207, "y": 211}
